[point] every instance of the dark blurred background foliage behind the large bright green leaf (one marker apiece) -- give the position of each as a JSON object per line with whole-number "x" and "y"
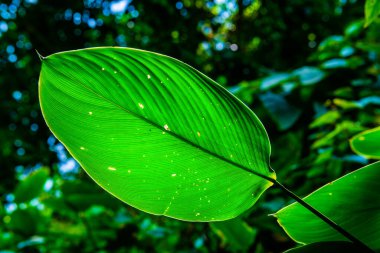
{"x": 309, "y": 69}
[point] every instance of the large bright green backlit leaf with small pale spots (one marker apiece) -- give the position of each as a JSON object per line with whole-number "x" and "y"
{"x": 156, "y": 133}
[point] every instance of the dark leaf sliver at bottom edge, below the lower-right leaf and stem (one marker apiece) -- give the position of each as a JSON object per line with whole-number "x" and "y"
{"x": 326, "y": 247}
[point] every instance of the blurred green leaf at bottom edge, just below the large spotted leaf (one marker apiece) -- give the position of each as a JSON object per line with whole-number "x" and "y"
{"x": 236, "y": 233}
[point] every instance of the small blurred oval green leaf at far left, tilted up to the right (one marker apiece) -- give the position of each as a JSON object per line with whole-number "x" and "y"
{"x": 31, "y": 186}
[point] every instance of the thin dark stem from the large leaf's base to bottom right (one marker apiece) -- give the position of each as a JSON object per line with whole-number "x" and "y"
{"x": 329, "y": 222}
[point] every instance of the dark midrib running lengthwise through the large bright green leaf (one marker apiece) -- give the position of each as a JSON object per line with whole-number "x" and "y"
{"x": 272, "y": 180}
